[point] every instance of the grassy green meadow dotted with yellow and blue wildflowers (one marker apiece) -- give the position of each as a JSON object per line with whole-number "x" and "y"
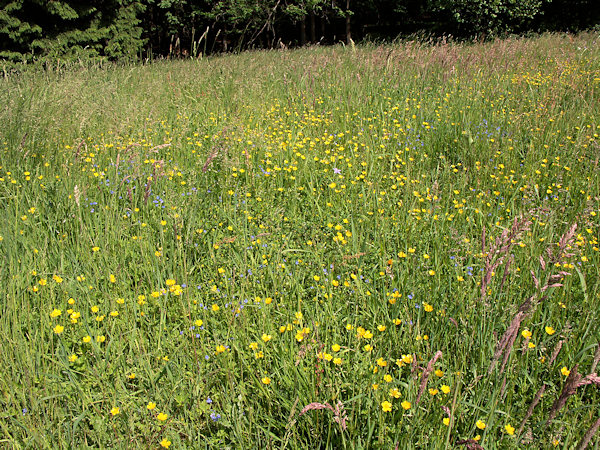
{"x": 388, "y": 246}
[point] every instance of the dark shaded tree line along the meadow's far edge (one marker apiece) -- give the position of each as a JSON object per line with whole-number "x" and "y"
{"x": 118, "y": 29}
